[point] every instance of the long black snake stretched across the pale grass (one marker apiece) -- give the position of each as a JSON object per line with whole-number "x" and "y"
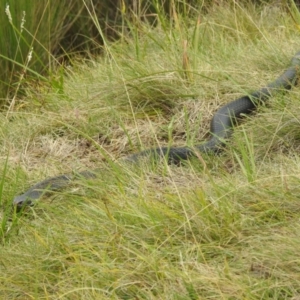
{"x": 221, "y": 128}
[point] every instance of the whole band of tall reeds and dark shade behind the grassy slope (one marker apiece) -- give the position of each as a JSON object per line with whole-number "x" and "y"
{"x": 50, "y": 27}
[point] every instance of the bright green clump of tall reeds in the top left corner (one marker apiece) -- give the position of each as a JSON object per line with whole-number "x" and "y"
{"x": 30, "y": 29}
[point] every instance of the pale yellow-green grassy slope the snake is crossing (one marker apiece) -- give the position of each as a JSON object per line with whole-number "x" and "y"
{"x": 219, "y": 228}
